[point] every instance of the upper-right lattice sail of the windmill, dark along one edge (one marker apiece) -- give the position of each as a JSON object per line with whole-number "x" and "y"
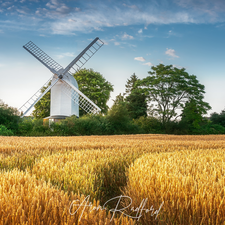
{"x": 84, "y": 56}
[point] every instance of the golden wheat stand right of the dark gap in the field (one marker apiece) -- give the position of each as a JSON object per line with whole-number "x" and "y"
{"x": 190, "y": 184}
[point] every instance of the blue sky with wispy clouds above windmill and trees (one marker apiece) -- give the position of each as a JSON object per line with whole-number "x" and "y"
{"x": 137, "y": 35}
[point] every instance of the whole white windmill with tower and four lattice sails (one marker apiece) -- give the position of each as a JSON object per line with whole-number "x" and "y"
{"x": 65, "y": 95}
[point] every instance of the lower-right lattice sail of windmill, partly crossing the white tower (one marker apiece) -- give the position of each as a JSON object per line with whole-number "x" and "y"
{"x": 79, "y": 98}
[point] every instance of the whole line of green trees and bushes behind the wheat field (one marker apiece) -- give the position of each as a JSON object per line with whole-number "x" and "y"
{"x": 168, "y": 100}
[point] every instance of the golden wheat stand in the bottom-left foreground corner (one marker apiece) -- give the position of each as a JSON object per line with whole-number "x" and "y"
{"x": 26, "y": 200}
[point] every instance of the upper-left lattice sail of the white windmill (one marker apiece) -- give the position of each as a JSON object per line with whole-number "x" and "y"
{"x": 42, "y": 57}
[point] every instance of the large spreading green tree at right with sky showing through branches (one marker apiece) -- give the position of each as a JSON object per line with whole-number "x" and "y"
{"x": 169, "y": 88}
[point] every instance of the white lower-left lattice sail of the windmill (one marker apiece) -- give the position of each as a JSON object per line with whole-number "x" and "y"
{"x": 36, "y": 97}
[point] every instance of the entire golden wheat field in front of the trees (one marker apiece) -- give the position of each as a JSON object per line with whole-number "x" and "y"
{"x": 170, "y": 180}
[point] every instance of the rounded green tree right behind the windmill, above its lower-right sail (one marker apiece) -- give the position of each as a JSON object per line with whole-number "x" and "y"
{"x": 95, "y": 87}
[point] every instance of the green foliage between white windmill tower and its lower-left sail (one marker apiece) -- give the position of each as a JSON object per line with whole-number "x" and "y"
{"x": 42, "y": 108}
